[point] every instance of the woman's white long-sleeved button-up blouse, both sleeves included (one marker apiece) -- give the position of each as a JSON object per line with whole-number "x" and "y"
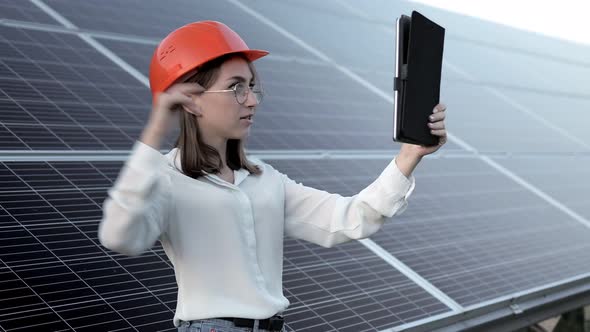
{"x": 224, "y": 239}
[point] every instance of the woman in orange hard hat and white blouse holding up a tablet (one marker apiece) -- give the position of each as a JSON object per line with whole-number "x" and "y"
{"x": 220, "y": 216}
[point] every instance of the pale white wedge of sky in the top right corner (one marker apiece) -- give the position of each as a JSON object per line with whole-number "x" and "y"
{"x": 565, "y": 19}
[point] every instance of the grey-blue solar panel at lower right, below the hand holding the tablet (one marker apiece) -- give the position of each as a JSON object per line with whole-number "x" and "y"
{"x": 466, "y": 235}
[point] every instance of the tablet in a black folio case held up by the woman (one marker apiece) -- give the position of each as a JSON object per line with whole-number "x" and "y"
{"x": 418, "y": 65}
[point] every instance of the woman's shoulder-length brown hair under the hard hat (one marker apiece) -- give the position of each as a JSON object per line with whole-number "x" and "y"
{"x": 196, "y": 156}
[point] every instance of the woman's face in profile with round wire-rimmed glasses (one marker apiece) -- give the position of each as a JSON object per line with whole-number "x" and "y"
{"x": 221, "y": 111}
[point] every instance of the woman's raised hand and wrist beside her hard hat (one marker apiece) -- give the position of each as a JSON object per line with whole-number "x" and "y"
{"x": 175, "y": 98}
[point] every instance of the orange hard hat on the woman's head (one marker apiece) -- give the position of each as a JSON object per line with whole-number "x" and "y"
{"x": 190, "y": 46}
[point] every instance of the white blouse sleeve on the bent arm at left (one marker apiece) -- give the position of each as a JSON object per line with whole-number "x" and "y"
{"x": 135, "y": 212}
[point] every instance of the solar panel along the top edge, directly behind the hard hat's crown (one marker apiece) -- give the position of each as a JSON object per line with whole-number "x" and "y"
{"x": 156, "y": 19}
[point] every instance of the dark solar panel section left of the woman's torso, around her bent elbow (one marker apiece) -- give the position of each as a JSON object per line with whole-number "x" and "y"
{"x": 54, "y": 263}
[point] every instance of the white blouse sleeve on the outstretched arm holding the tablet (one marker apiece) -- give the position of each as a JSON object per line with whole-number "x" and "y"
{"x": 328, "y": 219}
